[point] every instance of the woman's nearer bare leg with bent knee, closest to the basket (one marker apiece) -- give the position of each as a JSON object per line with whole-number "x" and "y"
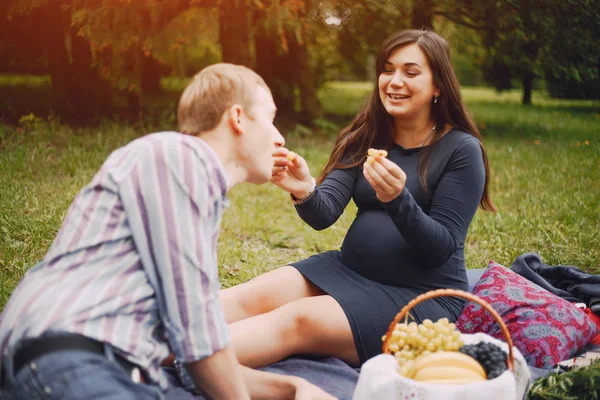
{"x": 310, "y": 325}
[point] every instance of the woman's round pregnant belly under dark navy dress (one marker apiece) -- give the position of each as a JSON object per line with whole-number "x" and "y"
{"x": 375, "y": 249}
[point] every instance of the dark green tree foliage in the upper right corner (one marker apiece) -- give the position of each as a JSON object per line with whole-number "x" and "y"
{"x": 527, "y": 39}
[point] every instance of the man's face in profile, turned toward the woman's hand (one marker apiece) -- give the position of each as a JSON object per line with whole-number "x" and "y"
{"x": 261, "y": 138}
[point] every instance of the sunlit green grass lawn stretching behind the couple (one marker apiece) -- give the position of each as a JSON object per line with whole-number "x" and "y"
{"x": 545, "y": 183}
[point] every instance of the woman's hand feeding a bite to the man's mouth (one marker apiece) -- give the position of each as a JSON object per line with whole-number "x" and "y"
{"x": 292, "y": 176}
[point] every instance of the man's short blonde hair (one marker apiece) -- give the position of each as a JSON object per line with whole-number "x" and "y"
{"x": 212, "y": 91}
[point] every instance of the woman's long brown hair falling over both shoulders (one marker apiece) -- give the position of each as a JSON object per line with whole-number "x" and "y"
{"x": 373, "y": 126}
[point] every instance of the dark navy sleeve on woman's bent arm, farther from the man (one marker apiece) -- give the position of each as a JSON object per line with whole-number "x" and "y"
{"x": 437, "y": 235}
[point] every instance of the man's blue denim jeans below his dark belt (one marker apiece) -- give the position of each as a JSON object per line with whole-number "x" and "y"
{"x": 74, "y": 374}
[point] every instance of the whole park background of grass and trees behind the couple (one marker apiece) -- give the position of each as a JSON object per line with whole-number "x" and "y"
{"x": 80, "y": 78}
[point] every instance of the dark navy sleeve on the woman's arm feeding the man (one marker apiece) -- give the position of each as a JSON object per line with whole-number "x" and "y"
{"x": 329, "y": 200}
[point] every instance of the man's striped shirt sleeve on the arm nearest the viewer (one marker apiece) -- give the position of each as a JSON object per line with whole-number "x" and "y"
{"x": 173, "y": 204}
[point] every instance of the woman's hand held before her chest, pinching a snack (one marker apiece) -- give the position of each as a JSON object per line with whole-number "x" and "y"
{"x": 385, "y": 177}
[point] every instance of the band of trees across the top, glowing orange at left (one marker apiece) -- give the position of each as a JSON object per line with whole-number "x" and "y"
{"x": 112, "y": 48}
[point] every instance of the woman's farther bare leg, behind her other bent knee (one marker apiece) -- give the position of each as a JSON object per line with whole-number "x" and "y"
{"x": 265, "y": 293}
